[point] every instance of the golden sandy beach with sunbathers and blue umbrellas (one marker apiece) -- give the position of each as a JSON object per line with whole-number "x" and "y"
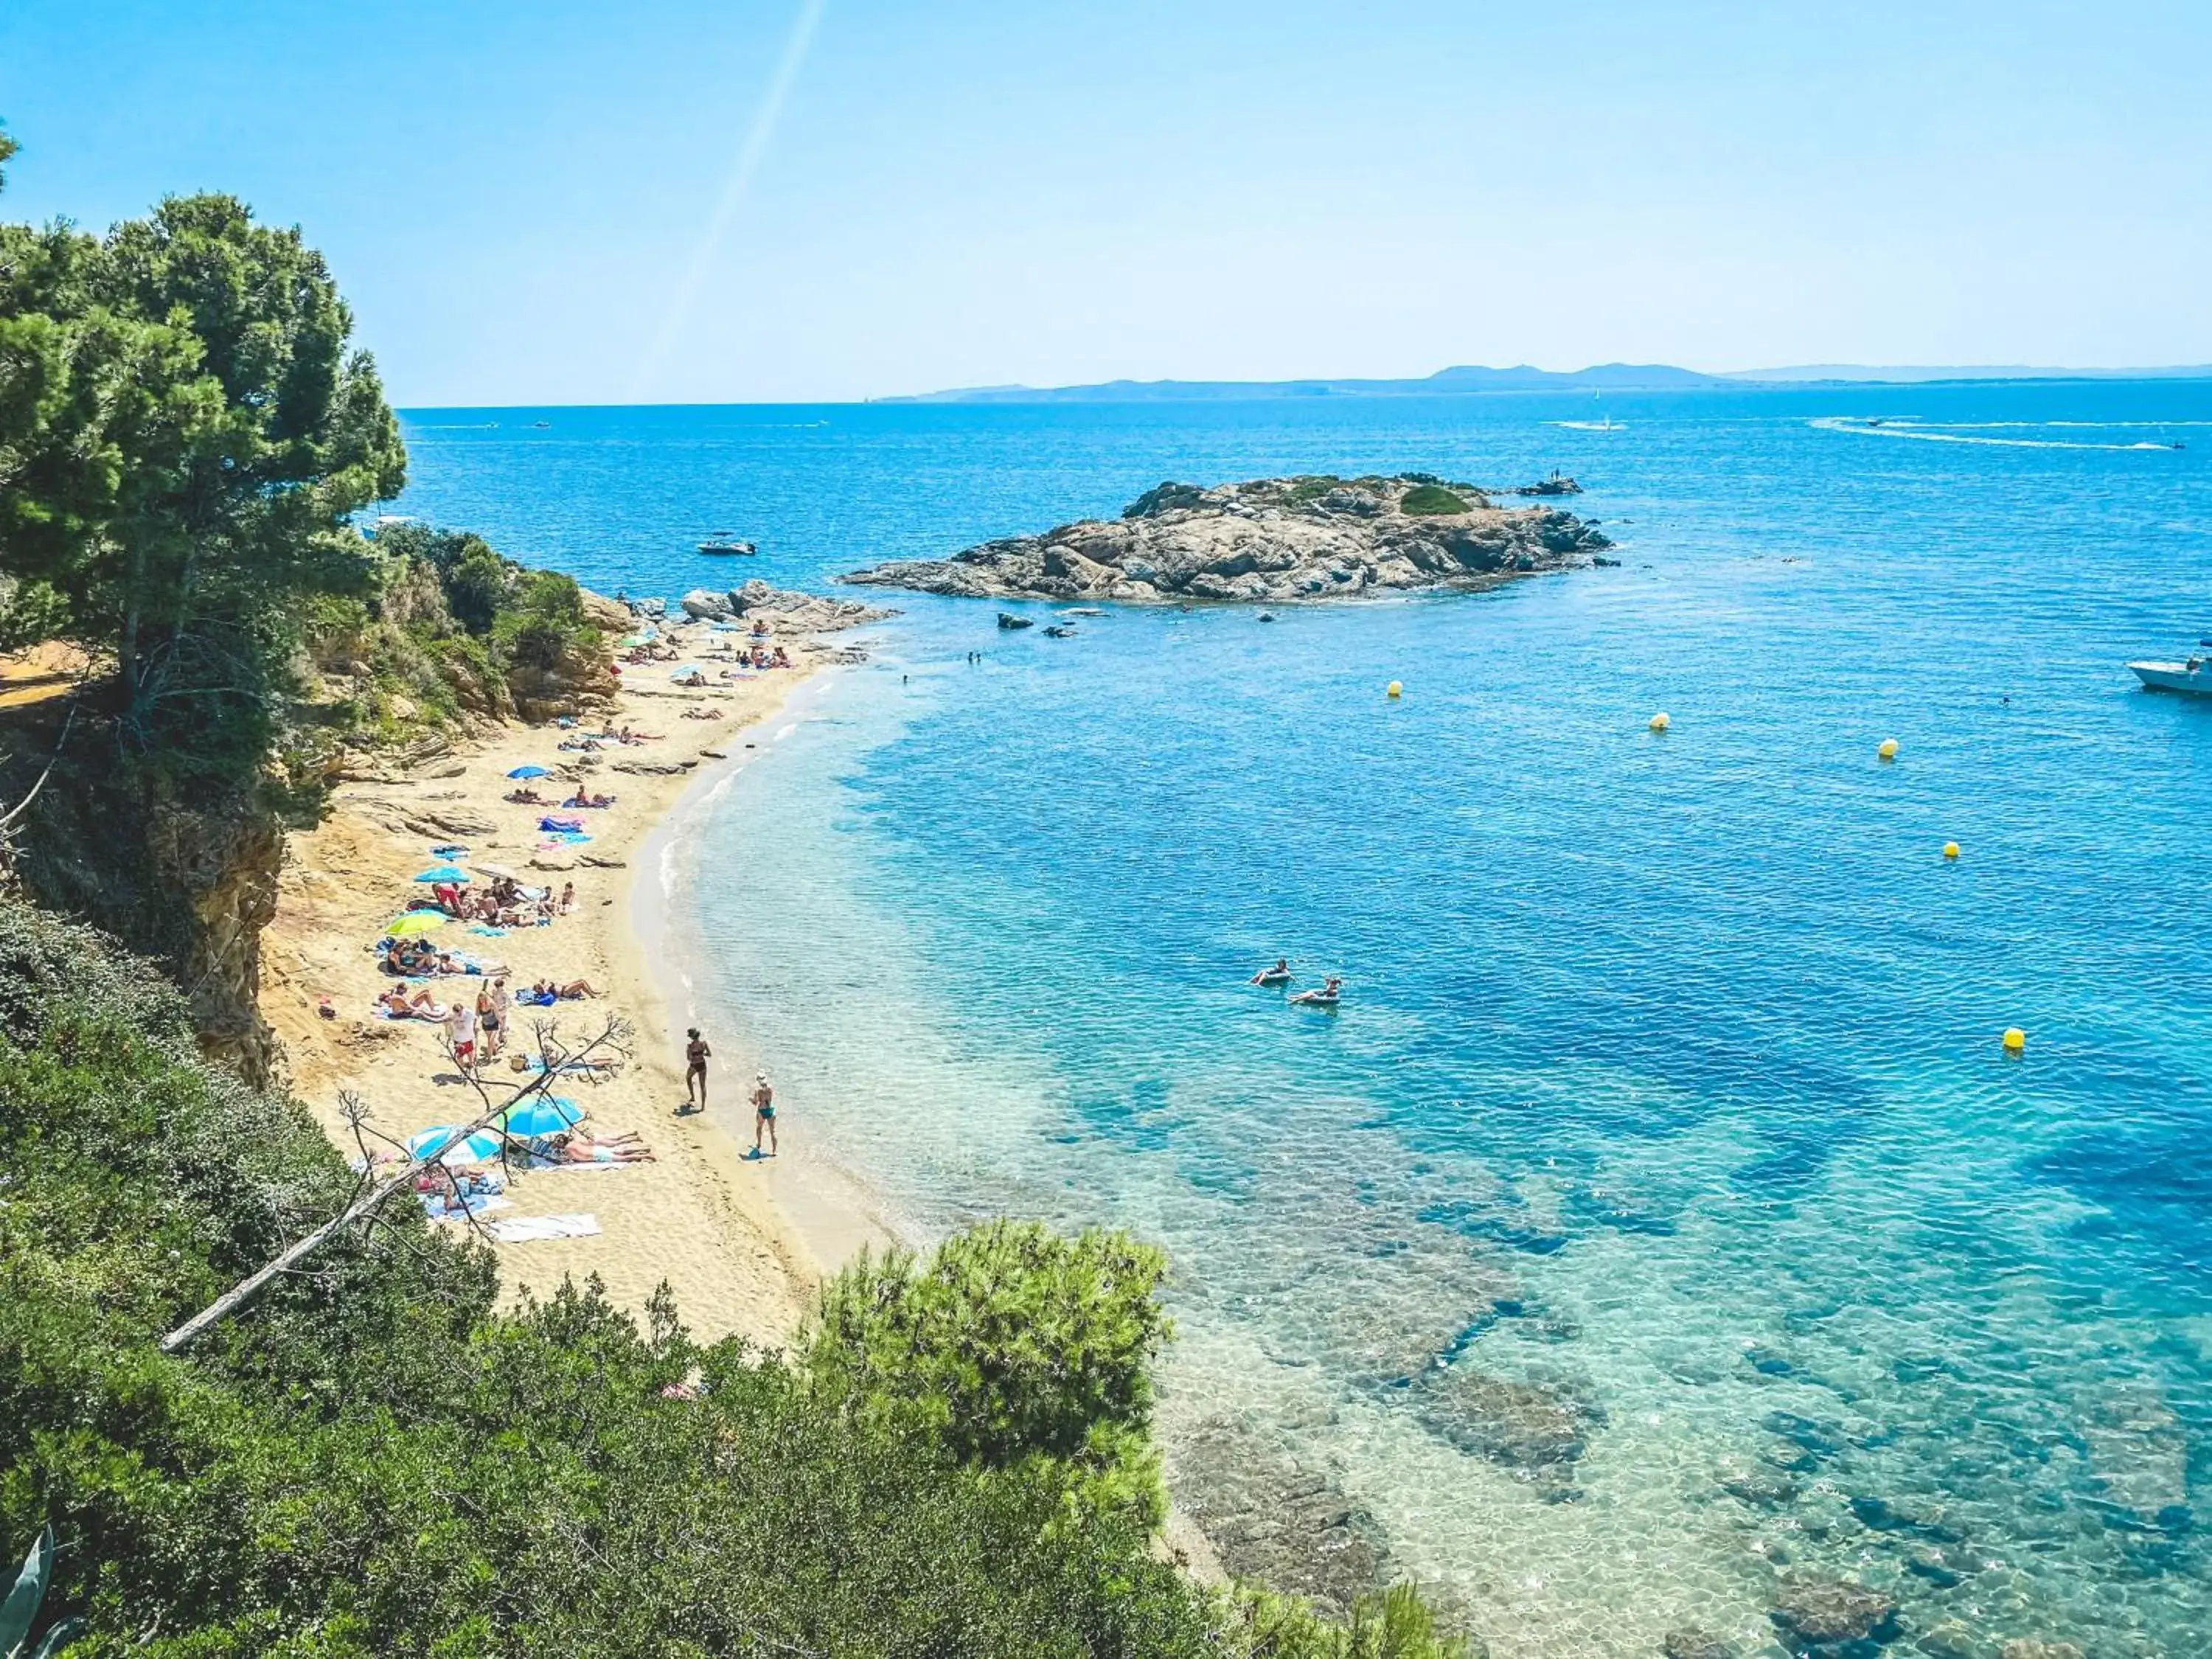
{"x": 702, "y": 1218}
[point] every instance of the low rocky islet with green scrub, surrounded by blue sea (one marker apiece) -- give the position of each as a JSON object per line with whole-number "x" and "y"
{"x": 1271, "y": 541}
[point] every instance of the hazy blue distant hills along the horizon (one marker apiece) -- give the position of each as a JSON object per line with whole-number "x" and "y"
{"x": 1470, "y": 379}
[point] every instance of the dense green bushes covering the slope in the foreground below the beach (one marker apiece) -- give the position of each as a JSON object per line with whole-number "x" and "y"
{"x": 375, "y": 1461}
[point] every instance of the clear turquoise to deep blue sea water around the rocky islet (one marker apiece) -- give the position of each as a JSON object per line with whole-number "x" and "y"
{"x": 1669, "y": 1076}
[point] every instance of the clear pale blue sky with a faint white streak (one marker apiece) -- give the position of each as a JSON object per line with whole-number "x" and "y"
{"x": 519, "y": 196}
